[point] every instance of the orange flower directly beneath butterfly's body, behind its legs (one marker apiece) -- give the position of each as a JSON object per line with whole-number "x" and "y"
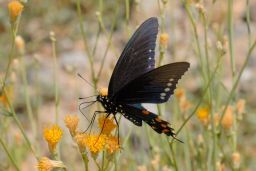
{"x": 108, "y": 124}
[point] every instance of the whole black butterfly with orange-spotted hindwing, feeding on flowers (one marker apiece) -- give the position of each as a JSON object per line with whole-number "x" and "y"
{"x": 135, "y": 80}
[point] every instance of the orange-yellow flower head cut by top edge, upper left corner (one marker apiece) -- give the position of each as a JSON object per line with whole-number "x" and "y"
{"x": 15, "y": 9}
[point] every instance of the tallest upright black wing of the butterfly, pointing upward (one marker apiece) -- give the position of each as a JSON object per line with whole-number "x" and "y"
{"x": 137, "y": 58}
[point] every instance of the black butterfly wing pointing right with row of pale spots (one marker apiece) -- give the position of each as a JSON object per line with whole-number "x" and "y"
{"x": 155, "y": 86}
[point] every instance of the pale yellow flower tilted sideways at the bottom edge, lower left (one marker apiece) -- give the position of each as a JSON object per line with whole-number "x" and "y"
{"x": 45, "y": 164}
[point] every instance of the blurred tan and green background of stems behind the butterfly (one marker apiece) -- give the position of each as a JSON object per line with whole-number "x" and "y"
{"x": 215, "y": 37}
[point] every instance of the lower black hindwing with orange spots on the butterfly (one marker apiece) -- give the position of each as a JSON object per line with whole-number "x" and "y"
{"x": 137, "y": 115}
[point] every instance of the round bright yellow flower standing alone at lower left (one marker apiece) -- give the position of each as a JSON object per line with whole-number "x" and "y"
{"x": 52, "y": 135}
